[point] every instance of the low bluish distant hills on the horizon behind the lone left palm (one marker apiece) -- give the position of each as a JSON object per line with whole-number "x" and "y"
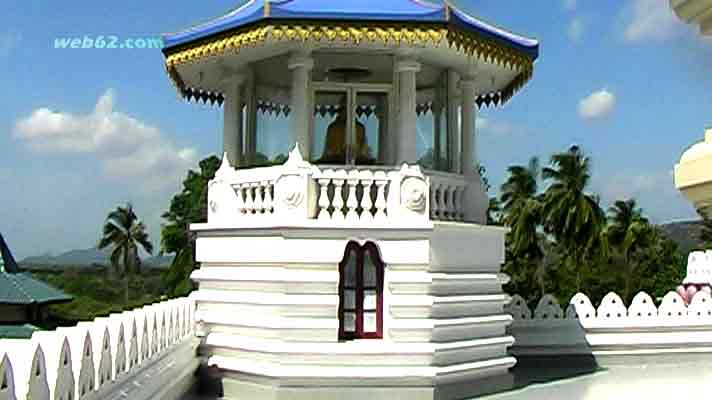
{"x": 87, "y": 258}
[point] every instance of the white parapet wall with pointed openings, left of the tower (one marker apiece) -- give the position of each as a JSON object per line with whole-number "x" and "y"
{"x": 147, "y": 353}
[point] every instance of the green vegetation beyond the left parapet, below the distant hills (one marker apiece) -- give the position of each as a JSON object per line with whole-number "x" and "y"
{"x": 96, "y": 294}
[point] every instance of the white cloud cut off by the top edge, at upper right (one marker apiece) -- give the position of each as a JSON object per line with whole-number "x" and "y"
{"x": 651, "y": 19}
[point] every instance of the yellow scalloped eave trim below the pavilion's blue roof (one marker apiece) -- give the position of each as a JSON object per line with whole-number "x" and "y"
{"x": 413, "y": 34}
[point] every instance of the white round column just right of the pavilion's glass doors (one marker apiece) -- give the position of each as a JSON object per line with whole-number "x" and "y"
{"x": 407, "y": 117}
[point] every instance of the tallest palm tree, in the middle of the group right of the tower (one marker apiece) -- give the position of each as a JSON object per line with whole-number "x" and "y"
{"x": 571, "y": 215}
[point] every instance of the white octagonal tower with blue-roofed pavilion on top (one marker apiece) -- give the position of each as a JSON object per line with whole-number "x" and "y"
{"x": 361, "y": 266}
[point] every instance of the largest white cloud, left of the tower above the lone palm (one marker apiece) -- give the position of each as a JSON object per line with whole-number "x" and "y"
{"x": 128, "y": 149}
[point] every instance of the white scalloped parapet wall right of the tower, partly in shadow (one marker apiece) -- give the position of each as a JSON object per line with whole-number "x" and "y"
{"x": 612, "y": 329}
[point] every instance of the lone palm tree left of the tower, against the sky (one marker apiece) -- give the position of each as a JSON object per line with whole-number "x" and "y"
{"x": 124, "y": 232}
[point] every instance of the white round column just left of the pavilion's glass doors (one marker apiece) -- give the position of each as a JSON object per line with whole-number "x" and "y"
{"x": 301, "y": 66}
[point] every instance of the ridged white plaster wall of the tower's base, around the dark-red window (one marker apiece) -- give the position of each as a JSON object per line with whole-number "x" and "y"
{"x": 268, "y": 302}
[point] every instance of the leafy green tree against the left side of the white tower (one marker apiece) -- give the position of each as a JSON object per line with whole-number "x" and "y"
{"x": 187, "y": 207}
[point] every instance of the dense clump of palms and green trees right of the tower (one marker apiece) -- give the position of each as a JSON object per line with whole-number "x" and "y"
{"x": 561, "y": 241}
